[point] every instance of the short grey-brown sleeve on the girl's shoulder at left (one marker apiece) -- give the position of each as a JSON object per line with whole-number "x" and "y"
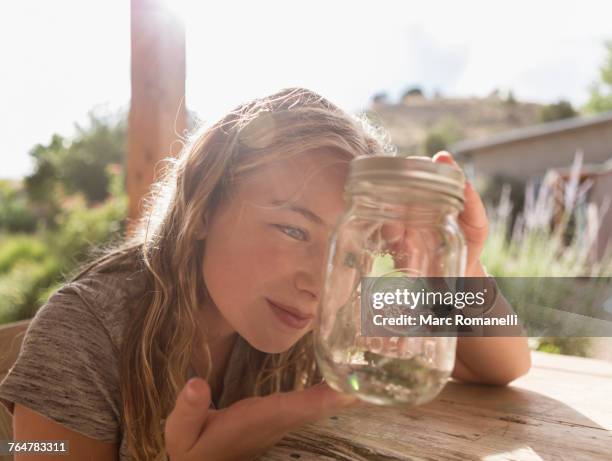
{"x": 67, "y": 369}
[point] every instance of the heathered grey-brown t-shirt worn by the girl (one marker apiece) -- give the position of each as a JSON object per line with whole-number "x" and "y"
{"x": 68, "y": 366}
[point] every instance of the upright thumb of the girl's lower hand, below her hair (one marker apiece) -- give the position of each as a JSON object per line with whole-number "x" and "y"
{"x": 185, "y": 422}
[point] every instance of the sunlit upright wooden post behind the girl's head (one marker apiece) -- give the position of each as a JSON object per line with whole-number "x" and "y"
{"x": 157, "y": 111}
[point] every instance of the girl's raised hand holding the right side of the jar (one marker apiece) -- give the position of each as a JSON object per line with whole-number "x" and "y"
{"x": 473, "y": 221}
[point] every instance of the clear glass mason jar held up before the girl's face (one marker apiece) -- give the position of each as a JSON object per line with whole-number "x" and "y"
{"x": 401, "y": 221}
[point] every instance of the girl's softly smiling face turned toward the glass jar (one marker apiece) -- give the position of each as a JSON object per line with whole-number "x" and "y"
{"x": 265, "y": 251}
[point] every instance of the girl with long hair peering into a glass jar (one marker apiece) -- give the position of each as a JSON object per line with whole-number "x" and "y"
{"x": 219, "y": 284}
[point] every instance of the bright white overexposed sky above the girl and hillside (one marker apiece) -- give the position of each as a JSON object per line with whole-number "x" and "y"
{"x": 61, "y": 59}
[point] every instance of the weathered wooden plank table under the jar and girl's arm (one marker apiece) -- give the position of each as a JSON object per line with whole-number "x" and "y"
{"x": 561, "y": 410}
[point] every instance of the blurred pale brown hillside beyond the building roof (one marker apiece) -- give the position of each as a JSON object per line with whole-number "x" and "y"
{"x": 410, "y": 121}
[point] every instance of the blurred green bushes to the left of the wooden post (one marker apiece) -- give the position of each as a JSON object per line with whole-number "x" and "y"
{"x": 73, "y": 201}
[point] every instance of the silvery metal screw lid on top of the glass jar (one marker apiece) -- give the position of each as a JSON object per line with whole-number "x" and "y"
{"x": 417, "y": 172}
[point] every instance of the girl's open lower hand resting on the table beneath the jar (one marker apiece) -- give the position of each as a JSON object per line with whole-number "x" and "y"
{"x": 246, "y": 429}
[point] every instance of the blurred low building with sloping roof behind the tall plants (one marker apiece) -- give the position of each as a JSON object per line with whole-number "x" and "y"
{"x": 532, "y": 151}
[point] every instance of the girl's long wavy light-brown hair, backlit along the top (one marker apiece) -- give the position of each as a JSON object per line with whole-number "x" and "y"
{"x": 163, "y": 333}
